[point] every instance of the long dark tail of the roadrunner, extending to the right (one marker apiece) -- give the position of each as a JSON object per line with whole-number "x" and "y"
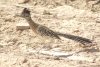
{"x": 76, "y": 38}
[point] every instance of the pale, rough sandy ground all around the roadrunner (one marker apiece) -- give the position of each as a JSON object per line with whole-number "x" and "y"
{"x": 72, "y": 19}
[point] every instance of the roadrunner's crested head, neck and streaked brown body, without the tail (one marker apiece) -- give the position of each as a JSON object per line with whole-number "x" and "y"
{"x": 37, "y": 28}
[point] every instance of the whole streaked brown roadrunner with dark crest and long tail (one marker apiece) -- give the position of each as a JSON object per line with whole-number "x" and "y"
{"x": 46, "y": 32}
